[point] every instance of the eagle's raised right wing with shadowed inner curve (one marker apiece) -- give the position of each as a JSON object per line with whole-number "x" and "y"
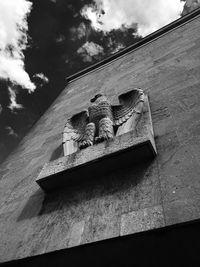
{"x": 130, "y": 103}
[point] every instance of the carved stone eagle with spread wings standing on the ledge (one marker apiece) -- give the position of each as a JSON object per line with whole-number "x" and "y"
{"x": 102, "y": 120}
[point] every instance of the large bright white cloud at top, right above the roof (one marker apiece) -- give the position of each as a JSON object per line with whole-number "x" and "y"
{"x": 149, "y": 15}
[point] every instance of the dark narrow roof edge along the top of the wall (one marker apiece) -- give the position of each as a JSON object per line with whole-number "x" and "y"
{"x": 136, "y": 45}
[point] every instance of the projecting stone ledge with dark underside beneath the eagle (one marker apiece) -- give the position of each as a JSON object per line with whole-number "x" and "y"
{"x": 97, "y": 160}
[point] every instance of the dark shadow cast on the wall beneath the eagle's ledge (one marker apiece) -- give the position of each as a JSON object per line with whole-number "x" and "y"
{"x": 72, "y": 198}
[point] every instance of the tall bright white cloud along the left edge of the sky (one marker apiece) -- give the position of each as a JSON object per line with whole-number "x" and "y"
{"x": 13, "y": 40}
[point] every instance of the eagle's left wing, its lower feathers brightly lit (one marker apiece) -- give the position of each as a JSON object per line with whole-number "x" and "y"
{"x": 74, "y": 132}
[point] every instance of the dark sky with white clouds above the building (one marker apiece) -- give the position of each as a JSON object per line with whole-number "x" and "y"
{"x": 44, "y": 41}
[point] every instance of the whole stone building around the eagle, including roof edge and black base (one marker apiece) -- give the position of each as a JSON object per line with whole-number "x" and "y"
{"x": 145, "y": 213}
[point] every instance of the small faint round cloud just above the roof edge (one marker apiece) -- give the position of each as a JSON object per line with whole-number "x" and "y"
{"x": 90, "y": 50}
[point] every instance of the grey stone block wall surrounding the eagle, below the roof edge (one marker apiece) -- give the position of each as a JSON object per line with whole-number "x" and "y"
{"x": 161, "y": 192}
